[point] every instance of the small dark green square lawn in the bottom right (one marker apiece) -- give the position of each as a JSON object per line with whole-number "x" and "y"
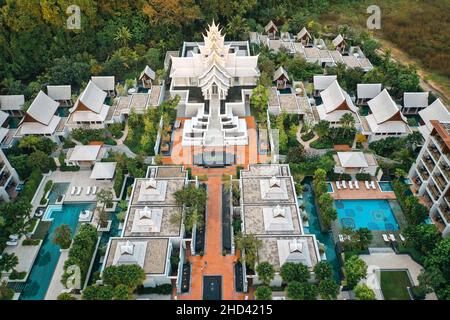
{"x": 393, "y": 285}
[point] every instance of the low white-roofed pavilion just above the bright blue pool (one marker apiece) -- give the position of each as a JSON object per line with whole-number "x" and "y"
{"x": 355, "y": 162}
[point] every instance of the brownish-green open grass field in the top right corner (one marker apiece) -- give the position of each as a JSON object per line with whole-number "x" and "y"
{"x": 419, "y": 28}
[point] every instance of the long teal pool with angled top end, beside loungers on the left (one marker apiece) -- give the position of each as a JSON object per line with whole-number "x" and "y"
{"x": 47, "y": 259}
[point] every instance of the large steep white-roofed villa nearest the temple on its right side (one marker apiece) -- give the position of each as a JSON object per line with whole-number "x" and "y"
{"x": 335, "y": 103}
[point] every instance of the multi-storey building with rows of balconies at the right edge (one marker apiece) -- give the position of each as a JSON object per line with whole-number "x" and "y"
{"x": 431, "y": 175}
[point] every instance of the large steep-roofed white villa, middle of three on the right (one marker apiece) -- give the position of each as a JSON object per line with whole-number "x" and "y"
{"x": 385, "y": 119}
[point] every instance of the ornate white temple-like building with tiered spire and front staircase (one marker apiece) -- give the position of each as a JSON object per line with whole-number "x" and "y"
{"x": 214, "y": 80}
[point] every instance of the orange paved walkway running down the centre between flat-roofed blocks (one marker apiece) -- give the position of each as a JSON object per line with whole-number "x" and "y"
{"x": 217, "y": 264}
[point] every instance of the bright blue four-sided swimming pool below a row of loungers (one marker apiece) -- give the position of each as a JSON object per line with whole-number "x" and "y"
{"x": 370, "y": 214}
